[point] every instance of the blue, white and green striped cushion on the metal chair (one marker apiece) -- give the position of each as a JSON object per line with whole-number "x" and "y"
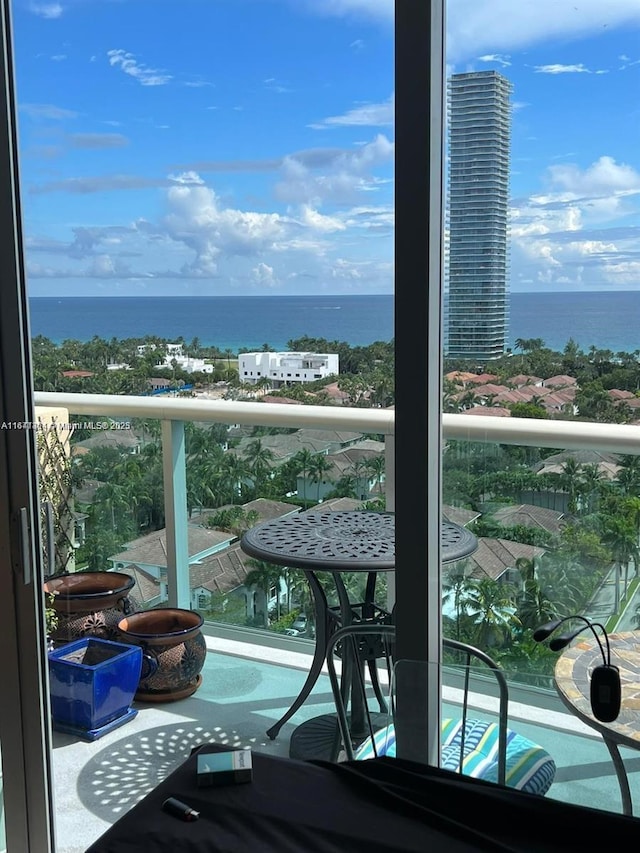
{"x": 529, "y": 767}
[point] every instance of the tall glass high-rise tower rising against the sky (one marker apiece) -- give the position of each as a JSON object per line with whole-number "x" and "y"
{"x": 478, "y": 195}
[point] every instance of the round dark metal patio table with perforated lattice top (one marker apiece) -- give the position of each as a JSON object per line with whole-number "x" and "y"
{"x": 337, "y": 542}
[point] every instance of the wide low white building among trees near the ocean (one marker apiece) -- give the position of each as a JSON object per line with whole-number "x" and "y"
{"x": 286, "y": 368}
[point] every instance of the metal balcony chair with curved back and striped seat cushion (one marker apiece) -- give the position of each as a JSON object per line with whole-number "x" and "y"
{"x": 474, "y": 747}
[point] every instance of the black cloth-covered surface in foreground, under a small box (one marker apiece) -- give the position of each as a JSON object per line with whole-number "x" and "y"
{"x": 379, "y": 806}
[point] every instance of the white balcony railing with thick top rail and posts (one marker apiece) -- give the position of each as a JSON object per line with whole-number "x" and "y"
{"x": 173, "y": 412}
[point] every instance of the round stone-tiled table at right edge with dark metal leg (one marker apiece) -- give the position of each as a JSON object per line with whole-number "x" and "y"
{"x": 573, "y": 678}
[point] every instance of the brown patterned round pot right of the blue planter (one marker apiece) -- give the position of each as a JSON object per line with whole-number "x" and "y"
{"x": 172, "y": 637}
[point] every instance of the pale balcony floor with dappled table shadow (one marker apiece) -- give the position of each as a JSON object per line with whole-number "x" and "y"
{"x": 245, "y": 689}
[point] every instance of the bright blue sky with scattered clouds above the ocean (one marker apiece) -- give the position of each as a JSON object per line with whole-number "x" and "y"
{"x": 245, "y": 147}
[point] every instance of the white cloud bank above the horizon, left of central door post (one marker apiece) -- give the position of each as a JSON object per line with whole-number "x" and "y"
{"x": 202, "y": 238}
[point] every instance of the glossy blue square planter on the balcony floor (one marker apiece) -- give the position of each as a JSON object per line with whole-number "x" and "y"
{"x": 92, "y": 683}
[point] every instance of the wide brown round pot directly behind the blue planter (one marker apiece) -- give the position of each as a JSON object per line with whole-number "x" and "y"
{"x": 89, "y": 604}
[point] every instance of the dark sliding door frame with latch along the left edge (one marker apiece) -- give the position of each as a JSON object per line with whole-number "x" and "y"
{"x": 24, "y": 732}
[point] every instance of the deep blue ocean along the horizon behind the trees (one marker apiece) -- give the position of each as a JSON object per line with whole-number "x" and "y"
{"x": 606, "y": 320}
